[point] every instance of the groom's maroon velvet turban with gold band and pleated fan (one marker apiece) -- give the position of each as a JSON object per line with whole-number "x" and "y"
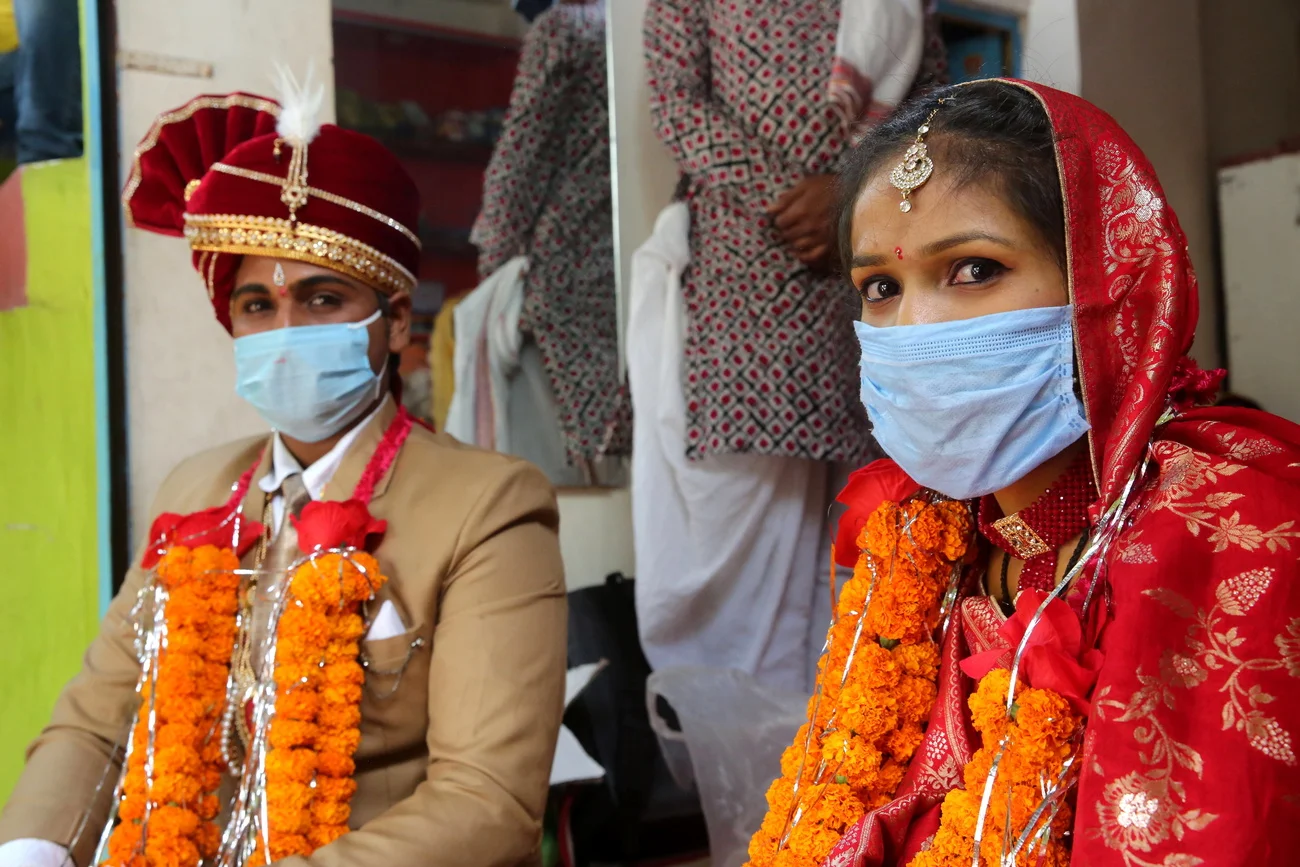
{"x": 219, "y": 172}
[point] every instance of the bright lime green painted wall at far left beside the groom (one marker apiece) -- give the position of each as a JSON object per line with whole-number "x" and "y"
{"x": 49, "y": 556}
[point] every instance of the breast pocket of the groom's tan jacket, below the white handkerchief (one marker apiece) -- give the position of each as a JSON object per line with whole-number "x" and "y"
{"x": 397, "y": 684}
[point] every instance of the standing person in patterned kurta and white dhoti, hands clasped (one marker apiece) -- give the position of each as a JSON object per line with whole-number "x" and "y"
{"x": 742, "y": 94}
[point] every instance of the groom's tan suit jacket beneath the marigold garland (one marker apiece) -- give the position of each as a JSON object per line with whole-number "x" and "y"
{"x": 457, "y": 748}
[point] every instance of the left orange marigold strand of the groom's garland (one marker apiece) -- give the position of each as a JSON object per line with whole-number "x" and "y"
{"x": 187, "y": 697}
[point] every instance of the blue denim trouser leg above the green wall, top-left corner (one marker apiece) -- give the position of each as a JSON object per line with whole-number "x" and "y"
{"x": 47, "y": 80}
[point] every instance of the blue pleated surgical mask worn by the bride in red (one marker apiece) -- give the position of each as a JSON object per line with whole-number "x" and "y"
{"x": 973, "y": 406}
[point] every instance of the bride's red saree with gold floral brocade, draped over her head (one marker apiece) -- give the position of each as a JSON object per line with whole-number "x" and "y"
{"x": 1191, "y": 749}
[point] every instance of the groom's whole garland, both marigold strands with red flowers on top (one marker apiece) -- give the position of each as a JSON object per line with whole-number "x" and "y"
{"x": 168, "y": 805}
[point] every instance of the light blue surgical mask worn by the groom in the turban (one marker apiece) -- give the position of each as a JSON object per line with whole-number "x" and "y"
{"x": 311, "y": 382}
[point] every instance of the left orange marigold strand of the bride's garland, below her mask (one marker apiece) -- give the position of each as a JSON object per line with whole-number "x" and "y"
{"x": 877, "y": 684}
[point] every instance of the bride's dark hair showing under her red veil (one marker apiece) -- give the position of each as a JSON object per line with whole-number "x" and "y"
{"x": 986, "y": 133}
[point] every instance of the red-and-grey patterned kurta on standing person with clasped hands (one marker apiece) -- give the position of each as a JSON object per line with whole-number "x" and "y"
{"x": 740, "y": 94}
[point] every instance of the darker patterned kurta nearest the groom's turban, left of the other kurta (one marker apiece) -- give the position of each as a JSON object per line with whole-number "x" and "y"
{"x": 547, "y": 197}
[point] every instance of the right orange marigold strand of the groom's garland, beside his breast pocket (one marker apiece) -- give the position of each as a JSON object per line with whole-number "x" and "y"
{"x": 317, "y": 726}
